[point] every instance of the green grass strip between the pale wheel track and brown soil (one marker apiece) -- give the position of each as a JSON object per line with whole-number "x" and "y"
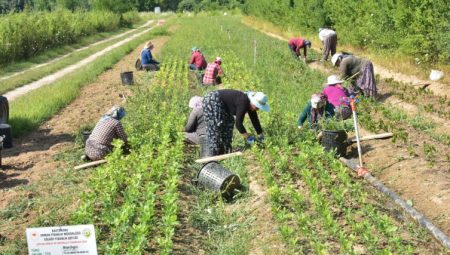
{"x": 48, "y": 100}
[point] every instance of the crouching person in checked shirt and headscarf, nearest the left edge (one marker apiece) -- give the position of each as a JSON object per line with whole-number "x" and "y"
{"x": 108, "y": 128}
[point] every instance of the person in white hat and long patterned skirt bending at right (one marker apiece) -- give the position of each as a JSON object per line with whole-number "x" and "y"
{"x": 359, "y": 70}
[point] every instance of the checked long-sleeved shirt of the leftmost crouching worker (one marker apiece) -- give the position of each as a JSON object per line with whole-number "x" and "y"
{"x": 106, "y": 131}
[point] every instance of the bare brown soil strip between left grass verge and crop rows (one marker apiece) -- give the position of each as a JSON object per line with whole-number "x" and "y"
{"x": 32, "y": 155}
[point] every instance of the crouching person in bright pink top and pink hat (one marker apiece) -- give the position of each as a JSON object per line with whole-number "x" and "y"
{"x": 336, "y": 95}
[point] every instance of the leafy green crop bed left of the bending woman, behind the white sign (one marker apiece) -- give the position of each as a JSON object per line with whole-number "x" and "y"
{"x": 133, "y": 199}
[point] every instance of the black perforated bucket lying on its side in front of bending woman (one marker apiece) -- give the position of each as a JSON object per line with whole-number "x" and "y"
{"x": 215, "y": 177}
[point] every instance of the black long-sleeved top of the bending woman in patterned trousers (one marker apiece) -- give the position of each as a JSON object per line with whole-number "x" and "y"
{"x": 238, "y": 104}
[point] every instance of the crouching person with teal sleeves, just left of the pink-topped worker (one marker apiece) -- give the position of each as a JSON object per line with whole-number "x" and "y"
{"x": 316, "y": 108}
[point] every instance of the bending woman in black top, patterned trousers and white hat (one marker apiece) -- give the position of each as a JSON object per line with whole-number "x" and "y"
{"x": 220, "y": 106}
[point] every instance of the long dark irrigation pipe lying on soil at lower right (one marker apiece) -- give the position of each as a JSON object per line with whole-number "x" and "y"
{"x": 422, "y": 220}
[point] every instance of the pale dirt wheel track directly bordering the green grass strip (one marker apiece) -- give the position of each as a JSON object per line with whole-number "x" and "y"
{"x": 61, "y": 73}
